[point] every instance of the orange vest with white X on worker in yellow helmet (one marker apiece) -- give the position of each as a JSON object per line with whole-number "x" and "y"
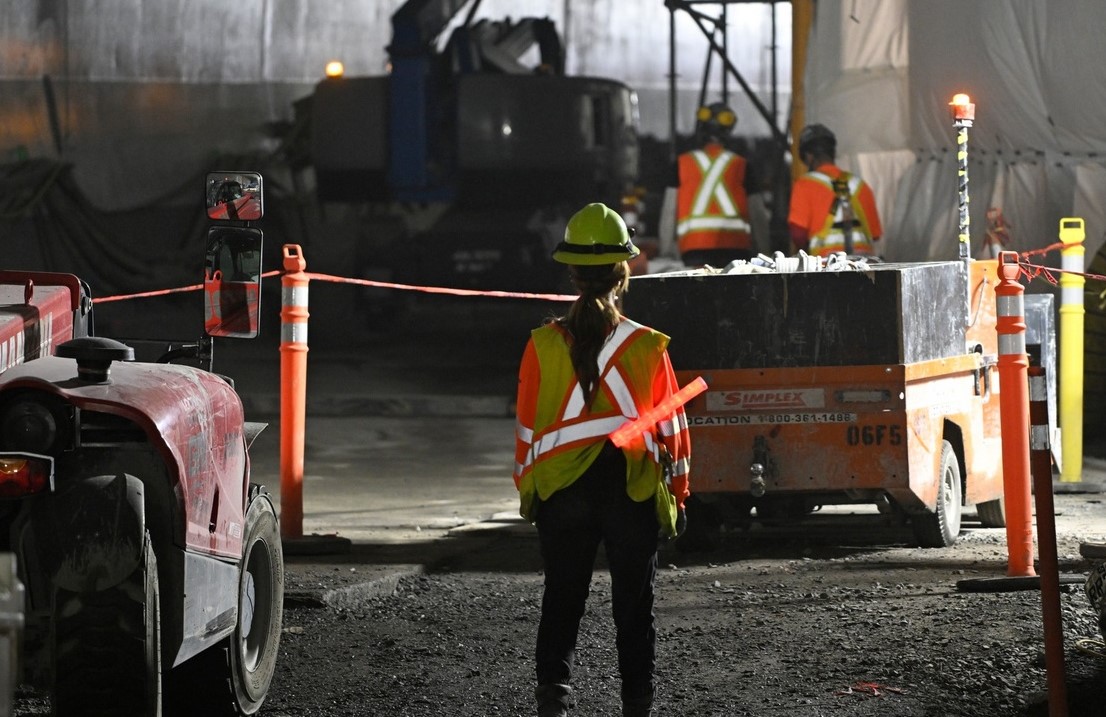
{"x": 712, "y": 207}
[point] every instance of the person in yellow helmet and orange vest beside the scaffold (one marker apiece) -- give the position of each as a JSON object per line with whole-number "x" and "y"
{"x": 712, "y": 203}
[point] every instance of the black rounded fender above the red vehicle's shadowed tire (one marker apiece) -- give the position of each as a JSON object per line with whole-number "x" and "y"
{"x": 89, "y": 537}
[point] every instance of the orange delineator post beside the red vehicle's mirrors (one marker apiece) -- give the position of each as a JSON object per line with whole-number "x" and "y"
{"x": 294, "y": 390}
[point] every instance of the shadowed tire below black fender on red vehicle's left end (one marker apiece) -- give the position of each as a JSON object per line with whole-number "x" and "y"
{"x": 108, "y": 648}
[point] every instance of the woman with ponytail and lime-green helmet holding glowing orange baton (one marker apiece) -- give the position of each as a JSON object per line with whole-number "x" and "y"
{"x": 582, "y": 377}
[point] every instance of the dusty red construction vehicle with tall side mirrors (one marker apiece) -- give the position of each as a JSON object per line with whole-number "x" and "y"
{"x": 152, "y": 565}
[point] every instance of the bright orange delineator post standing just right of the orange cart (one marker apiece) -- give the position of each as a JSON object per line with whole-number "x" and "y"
{"x": 1015, "y": 410}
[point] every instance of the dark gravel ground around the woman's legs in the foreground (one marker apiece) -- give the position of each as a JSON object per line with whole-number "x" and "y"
{"x": 836, "y": 618}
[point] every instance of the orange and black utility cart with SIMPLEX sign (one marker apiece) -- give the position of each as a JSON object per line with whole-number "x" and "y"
{"x": 873, "y": 385}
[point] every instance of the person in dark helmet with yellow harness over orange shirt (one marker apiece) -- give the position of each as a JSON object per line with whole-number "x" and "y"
{"x": 831, "y": 210}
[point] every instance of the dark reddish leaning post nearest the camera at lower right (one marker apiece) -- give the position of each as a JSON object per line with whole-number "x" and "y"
{"x": 1041, "y": 466}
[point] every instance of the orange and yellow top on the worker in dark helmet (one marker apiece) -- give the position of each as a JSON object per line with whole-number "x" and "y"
{"x": 838, "y": 212}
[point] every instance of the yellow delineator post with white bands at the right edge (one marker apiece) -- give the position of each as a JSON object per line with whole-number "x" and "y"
{"x": 1072, "y": 235}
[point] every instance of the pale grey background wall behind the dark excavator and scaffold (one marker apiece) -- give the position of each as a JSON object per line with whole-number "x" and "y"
{"x": 142, "y": 96}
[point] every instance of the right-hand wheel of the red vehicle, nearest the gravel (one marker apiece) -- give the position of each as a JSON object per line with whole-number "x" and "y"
{"x": 234, "y": 677}
